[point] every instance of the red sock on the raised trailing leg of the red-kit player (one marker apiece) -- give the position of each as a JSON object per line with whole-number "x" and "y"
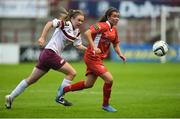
{"x": 75, "y": 87}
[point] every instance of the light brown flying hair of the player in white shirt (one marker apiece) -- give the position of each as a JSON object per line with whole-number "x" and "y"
{"x": 67, "y": 15}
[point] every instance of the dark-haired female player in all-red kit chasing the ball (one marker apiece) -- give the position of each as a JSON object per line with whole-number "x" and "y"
{"x": 99, "y": 36}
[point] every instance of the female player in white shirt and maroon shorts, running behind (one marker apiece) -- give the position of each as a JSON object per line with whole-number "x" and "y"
{"x": 66, "y": 32}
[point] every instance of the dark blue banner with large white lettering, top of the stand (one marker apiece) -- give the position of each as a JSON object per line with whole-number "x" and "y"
{"x": 127, "y": 8}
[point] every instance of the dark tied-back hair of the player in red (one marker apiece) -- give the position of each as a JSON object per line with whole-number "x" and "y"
{"x": 108, "y": 14}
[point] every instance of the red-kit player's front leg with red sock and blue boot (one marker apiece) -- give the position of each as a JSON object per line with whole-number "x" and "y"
{"x": 108, "y": 81}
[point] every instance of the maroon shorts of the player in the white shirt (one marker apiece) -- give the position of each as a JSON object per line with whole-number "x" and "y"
{"x": 49, "y": 59}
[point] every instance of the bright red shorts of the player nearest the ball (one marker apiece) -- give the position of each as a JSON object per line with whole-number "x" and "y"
{"x": 94, "y": 67}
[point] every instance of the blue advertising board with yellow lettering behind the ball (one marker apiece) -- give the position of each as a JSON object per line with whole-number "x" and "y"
{"x": 144, "y": 53}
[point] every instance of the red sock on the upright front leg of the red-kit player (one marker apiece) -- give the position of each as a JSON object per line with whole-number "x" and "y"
{"x": 106, "y": 93}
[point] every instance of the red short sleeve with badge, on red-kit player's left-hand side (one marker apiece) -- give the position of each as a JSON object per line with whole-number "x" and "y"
{"x": 98, "y": 28}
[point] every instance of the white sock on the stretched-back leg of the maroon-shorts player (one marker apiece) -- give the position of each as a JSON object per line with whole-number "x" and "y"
{"x": 19, "y": 89}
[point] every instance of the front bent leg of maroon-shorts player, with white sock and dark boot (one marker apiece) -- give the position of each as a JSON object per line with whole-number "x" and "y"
{"x": 70, "y": 73}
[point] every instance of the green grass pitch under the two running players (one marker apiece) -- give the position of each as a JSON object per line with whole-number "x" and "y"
{"x": 139, "y": 90}
